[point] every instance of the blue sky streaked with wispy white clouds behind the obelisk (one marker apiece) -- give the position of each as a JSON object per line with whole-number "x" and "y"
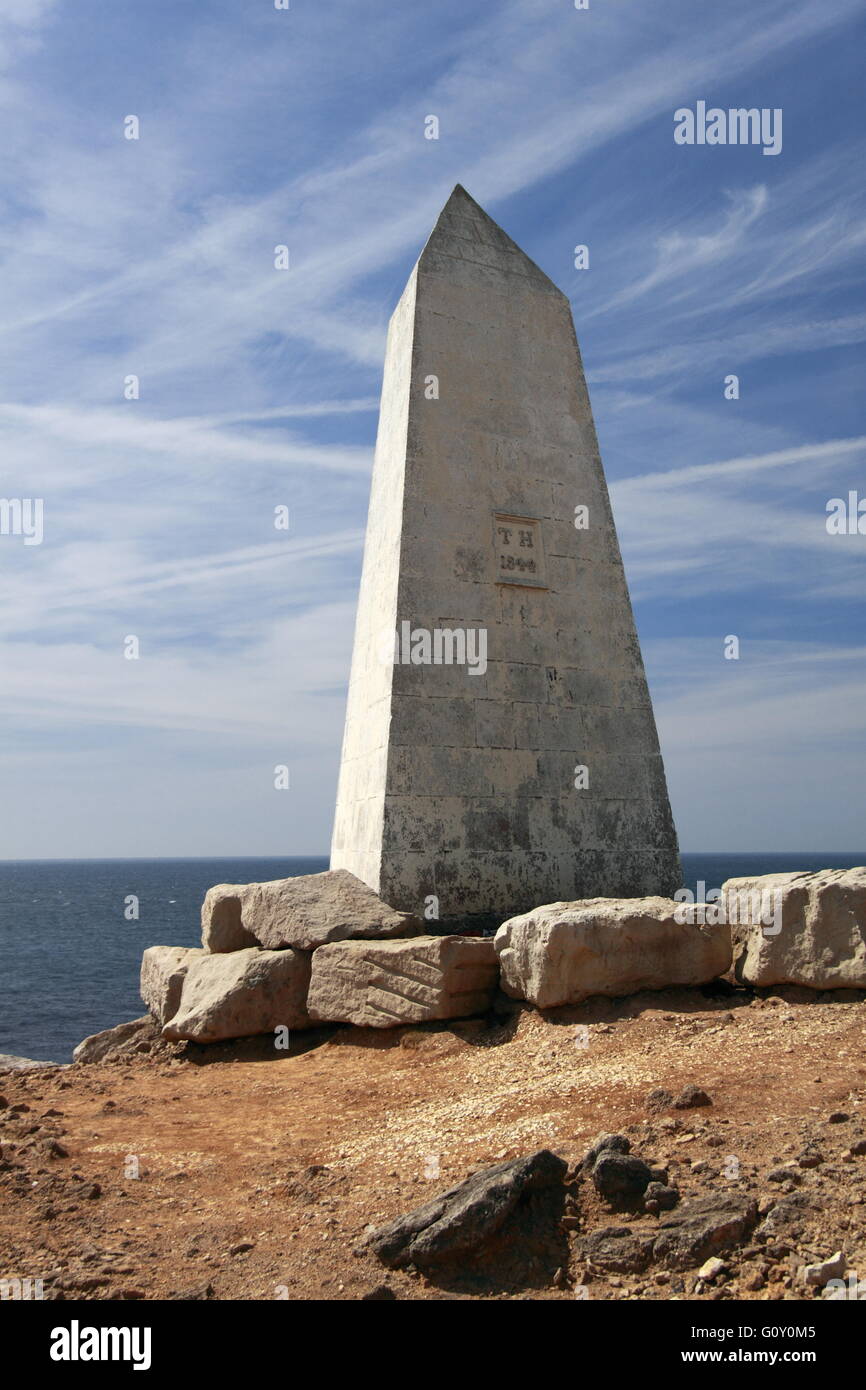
{"x": 259, "y": 389}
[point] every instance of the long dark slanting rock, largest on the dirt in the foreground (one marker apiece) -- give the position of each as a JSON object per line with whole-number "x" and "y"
{"x": 465, "y": 1217}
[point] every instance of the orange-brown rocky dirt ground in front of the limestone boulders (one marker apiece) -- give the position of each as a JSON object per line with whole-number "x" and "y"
{"x": 261, "y": 1172}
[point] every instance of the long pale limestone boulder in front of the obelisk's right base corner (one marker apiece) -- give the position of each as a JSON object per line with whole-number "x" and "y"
{"x": 568, "y": 951}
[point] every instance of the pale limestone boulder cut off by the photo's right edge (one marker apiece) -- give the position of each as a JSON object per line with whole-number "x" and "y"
{"x": 800, "y": 928}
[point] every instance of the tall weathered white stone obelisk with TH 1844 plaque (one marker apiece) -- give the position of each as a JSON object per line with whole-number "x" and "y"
{"x": 501, "y": 749}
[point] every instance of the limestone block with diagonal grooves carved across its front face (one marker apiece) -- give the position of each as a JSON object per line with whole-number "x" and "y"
{"x": 383, "y": 985}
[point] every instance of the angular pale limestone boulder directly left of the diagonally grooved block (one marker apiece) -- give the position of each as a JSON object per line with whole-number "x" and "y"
{"x": 241, "y": 995}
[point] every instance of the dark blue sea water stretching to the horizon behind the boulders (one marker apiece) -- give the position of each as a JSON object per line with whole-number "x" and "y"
{"x": 70, "y": 960}
